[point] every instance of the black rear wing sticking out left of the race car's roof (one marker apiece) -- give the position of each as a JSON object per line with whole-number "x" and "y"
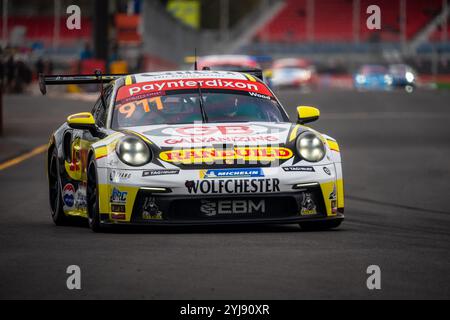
{"x": 75, "y": 79}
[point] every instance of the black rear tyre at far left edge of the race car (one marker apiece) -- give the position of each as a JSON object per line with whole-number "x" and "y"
{"x": 54, "y": 188}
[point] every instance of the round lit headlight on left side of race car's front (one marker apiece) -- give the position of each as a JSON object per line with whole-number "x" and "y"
{"x": 133, "y": 151}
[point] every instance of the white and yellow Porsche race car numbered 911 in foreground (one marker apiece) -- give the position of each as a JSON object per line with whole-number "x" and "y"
{"x": 191, "y": 148}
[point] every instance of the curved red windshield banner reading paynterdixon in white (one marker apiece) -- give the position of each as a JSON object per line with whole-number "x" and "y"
{"x": 182, "y": 84}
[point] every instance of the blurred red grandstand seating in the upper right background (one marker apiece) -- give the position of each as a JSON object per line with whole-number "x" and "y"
{"x": 334, "y": 20}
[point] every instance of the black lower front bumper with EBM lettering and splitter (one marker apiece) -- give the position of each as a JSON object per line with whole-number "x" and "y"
{"x": 305, "y": 203}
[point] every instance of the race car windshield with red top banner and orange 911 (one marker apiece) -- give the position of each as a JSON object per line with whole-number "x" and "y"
{"x": 254, "y": 103}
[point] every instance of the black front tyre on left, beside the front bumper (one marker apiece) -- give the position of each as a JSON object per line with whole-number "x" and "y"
{"x": 93, "y": 197}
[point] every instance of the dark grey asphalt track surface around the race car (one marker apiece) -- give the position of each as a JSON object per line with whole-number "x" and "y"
{"x": 396, "y": 152}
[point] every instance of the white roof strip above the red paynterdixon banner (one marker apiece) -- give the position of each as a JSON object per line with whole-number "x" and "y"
{"x": 185, "y": 74}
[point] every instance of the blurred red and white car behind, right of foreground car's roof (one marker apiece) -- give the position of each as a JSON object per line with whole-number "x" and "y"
{"x": 293, "y": 73}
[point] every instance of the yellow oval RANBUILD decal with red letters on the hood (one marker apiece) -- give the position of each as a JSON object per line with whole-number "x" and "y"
{"x": 210, "y": 155}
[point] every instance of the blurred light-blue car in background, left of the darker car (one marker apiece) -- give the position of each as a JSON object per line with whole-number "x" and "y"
{"x": 373, "y": 77}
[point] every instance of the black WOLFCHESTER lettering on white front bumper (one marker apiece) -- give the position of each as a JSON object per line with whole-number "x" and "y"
{"x": 219, "y": 186}
